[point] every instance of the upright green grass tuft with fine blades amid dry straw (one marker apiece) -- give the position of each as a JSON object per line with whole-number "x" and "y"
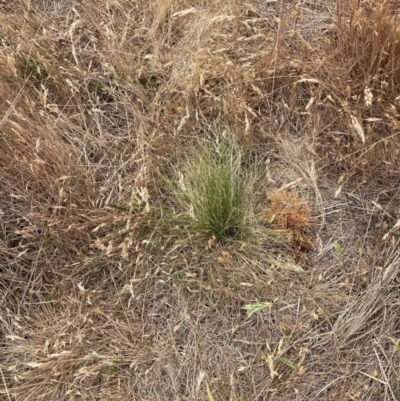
{"x": 215, "y": 191}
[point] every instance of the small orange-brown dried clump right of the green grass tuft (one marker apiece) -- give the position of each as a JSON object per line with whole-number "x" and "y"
{"x": 288, "y": 212}
